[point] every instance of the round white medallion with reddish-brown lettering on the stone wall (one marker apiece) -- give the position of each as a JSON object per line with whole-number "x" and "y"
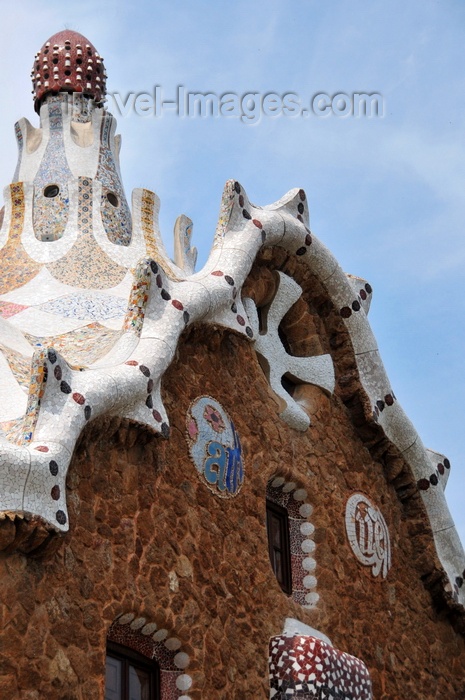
{"x": 368, "y": 534}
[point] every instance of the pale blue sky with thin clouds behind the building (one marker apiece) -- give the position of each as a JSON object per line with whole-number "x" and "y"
{"x": 386, "y": 195}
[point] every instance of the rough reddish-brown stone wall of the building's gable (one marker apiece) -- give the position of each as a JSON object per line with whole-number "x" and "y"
{"x": 150, "y": 541}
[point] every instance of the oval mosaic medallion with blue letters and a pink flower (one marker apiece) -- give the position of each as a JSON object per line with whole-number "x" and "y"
{"x": 215, "y": 447}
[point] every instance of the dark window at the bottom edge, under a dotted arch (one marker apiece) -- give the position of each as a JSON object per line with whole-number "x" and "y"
{"x": 130, "y": 676}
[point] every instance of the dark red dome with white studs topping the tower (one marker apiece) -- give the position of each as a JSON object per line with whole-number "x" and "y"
{"x": 68, "y": 62}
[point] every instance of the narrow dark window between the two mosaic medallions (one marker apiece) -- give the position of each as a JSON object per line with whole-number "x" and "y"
{"x": 277, "y": 525}
